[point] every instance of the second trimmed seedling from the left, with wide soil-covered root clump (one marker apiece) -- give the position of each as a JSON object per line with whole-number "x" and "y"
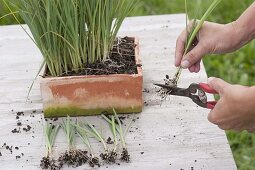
{"x": 72, "y": 157}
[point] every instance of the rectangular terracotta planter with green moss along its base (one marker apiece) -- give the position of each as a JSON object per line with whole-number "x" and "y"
{"x": 91, "y": 95}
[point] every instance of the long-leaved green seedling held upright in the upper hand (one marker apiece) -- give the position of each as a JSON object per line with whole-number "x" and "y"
{"x": 192, "y": 33}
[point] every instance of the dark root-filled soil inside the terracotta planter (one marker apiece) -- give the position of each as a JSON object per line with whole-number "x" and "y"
{"x": 121, "y": 61}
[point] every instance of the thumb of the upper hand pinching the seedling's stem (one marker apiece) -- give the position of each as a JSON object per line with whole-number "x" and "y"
{"x": 193, "y": 56}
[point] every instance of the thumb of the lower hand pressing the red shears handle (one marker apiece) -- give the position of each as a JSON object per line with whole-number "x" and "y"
{"x": 217, "y": 84}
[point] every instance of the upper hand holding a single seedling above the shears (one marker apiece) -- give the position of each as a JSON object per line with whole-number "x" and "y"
{"x": 212, "y": 39}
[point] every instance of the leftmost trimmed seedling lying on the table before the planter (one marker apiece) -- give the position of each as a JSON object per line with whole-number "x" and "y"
{"x": 50, "y": 132}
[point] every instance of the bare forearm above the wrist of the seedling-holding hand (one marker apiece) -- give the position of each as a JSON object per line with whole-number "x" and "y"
{"x": 245, "y": 25}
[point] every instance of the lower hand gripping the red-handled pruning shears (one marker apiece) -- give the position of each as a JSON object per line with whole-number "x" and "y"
{"x": 236, "y": 108}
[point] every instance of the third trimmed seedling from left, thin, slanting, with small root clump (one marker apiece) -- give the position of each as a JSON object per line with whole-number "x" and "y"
{"x": 83, "y": 135}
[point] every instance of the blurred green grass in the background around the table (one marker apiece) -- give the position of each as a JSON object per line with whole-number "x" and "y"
{"x": 238, "y": 67}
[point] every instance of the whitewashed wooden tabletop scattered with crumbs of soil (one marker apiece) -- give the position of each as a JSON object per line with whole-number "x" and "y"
{"x": 173, "y": 134}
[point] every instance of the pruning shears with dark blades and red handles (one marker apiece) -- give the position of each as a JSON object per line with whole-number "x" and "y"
{"x": 197, "y": 92}
